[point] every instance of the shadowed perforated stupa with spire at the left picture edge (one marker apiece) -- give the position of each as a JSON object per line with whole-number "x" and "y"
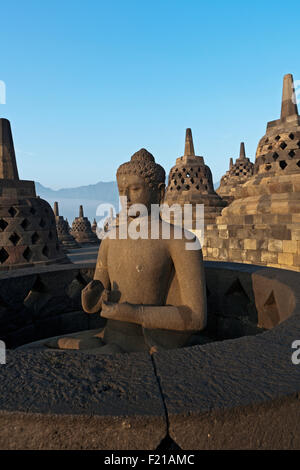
{"x": 28, "y": 234}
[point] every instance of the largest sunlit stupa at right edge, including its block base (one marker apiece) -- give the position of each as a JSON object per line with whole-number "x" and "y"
{"x": 262, "y": 225}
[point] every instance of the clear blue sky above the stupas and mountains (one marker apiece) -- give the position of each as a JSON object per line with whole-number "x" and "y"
{"x": 89, "y": 83}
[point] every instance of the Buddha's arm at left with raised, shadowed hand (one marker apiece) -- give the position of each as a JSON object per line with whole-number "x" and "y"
{"x": 96, "y": 291}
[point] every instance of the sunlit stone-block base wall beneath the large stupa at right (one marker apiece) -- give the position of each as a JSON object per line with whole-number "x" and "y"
{"x": 271, "y": 243}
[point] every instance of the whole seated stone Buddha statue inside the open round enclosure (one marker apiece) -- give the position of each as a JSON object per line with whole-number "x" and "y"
{"x": 150, "y": 289}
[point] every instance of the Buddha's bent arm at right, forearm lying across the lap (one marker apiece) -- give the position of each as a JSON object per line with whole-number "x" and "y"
{"x": 189, "y": 316}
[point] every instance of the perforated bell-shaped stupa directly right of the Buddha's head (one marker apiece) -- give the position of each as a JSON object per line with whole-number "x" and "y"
{"x": 190, "y": 182}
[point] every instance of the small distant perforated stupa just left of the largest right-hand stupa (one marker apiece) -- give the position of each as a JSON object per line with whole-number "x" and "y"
{"x": 238, "y": 173}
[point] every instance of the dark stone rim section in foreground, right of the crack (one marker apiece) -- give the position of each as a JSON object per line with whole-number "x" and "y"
{"x": 236, "y": 394}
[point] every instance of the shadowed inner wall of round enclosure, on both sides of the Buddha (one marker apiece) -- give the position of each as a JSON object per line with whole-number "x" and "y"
{"x": 40, "y": 303}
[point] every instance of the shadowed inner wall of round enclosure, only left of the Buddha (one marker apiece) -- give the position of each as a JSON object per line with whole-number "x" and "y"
{"x": 41, "y": 302}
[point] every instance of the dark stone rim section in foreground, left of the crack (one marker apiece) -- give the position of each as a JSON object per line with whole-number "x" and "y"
{"x": 96, "y": 402}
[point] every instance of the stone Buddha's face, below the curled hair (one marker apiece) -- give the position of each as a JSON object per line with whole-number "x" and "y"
{"x": 138, "y": 191}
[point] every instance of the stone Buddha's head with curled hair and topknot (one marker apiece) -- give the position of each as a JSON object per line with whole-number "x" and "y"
{"x": 141, "y": 180}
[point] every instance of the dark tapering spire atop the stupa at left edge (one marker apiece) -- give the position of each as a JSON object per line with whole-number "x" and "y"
{"x": 8, "y": 164}
